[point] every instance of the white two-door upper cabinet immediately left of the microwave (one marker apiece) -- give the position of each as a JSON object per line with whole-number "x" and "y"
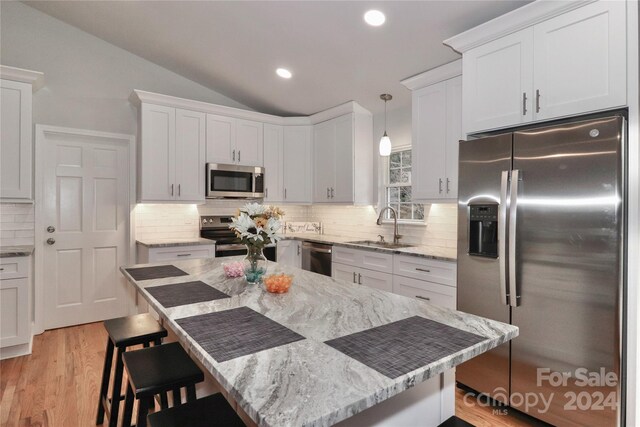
{"x": 171, "y": 155}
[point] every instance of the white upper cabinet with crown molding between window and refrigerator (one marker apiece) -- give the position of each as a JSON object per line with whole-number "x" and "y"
{"x": 436, "y": 118}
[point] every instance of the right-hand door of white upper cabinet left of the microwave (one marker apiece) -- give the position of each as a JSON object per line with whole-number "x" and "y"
{"x": 190, "y": 155}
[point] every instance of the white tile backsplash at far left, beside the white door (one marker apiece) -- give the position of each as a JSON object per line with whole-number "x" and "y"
{"x": 17, "y": 222}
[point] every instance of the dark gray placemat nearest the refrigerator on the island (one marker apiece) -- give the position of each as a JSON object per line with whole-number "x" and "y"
{"x": 400, "y": 347}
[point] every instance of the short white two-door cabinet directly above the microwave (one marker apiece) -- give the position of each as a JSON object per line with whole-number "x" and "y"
{"x": 234, "y": 141}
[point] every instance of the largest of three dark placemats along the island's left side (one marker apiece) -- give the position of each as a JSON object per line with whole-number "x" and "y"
{"x": 228, "y": 334}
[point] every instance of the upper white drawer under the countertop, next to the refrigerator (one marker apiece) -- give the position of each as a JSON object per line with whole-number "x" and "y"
{"x": 442, "y": 272}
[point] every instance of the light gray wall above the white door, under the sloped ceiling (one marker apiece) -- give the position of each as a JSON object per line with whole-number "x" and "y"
{"x": 87, "y": 80}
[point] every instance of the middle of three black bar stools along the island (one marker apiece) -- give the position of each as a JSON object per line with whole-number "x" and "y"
{"x": 156, "y": 371}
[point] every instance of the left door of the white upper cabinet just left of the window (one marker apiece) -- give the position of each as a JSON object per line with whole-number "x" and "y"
{"x": 323, "y": 160}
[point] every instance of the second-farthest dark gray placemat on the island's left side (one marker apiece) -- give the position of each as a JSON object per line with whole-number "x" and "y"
{"x": 184, "y": 293}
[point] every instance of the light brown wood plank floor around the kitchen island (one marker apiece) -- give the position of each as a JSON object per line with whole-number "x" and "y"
{"x": 57, "y": 385}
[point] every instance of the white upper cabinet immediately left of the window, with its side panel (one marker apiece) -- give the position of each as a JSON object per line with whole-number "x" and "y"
{"x": 343, "y": 159}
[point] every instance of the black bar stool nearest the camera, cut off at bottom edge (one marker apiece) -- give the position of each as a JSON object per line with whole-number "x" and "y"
{"x": 210, "y": 411}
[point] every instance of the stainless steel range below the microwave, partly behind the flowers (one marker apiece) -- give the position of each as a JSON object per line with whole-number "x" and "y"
{"x": 216, "y": 227}
